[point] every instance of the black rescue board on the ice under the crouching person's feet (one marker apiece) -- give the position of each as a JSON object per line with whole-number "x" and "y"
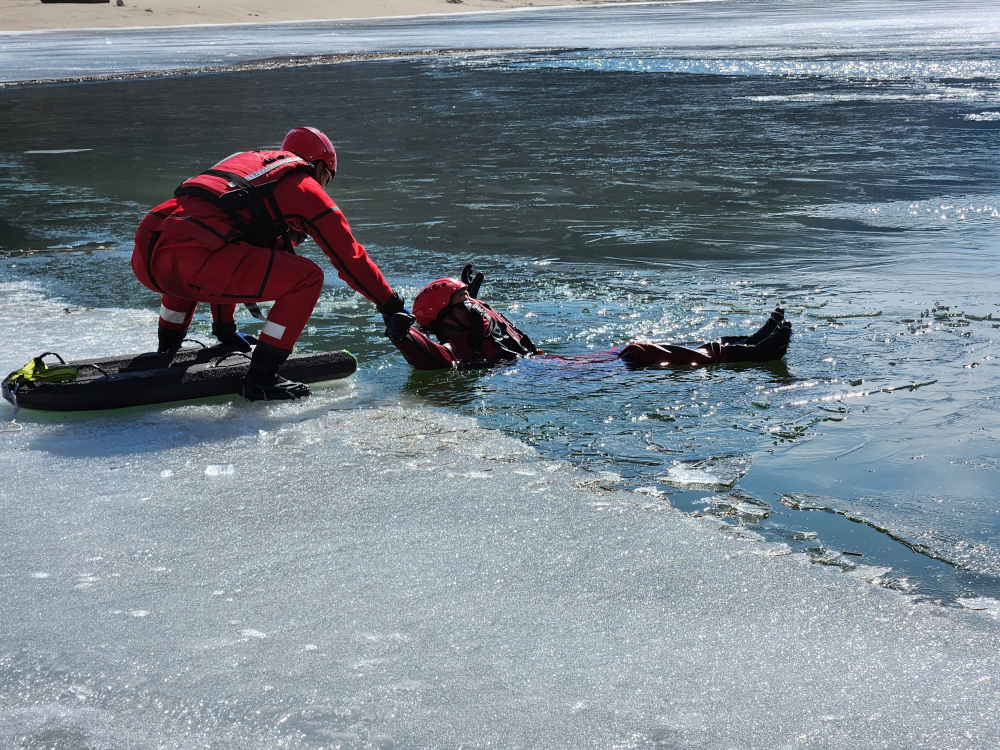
{"x": 142, "y": 379}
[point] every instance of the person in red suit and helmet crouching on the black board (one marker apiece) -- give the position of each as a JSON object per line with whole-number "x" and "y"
{"x": 228, "y": 237}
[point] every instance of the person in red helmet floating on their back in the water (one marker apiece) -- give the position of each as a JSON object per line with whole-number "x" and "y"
{"x": 472, "y": 334}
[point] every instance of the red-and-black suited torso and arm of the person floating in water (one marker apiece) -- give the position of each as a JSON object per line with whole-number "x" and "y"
{"x": 491, "y": 339}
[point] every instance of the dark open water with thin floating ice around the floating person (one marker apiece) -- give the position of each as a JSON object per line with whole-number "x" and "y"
{"x": 611, "y": 197}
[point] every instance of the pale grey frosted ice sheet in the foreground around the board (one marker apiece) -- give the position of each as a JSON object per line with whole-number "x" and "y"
{"x": 400, "y": 577}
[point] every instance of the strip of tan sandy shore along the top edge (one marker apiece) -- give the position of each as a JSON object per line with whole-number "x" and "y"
{"x": 32, "y": 15}
